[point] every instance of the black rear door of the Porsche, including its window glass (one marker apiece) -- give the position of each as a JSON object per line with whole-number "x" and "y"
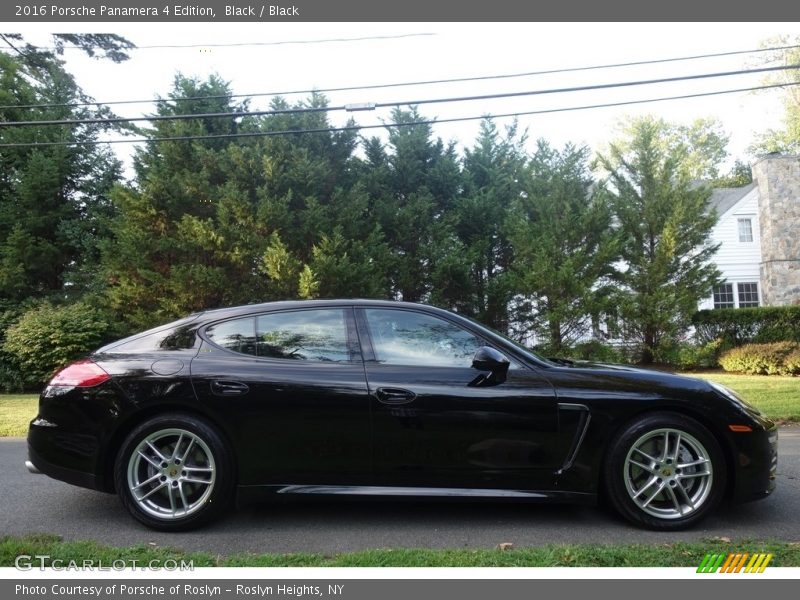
{"x": 291, "y": 386}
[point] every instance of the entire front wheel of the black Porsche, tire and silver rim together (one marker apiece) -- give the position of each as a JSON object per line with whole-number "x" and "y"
{"x": 665, "y": 471}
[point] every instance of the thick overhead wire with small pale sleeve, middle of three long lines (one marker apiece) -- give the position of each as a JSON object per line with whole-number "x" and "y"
{"x": 417, "y": 102}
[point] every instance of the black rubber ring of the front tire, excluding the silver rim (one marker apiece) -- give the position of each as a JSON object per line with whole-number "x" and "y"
{"x": 614, "y": 467}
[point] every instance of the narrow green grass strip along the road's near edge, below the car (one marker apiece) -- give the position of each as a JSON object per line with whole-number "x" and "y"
{"x": 680, "y": 554}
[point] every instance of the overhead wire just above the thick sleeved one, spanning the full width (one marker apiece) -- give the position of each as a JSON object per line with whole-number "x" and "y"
{"x": 407, "y": 83}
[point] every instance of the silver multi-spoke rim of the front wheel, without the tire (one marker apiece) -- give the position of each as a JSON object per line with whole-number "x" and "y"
{"x": 668, "y": 473}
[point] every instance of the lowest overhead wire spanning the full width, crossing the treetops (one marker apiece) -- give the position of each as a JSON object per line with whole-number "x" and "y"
{"x": 395, "y": 125}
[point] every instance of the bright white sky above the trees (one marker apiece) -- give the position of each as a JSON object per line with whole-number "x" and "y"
{"x": 304, "y": 56}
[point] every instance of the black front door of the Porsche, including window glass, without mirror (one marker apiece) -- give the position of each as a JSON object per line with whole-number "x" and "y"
{"x": 434, "y": 426}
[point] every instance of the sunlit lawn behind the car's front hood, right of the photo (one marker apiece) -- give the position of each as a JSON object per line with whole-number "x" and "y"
{"x": 776, "y": 396}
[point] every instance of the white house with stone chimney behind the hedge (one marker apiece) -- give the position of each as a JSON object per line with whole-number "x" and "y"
{"x": 759, "y": 235}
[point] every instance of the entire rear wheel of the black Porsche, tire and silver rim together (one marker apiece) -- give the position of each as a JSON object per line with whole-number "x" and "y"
{"x": 174, "y": 472}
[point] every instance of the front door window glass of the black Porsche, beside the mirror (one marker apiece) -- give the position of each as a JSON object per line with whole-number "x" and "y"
{"x": 401, "y": 337}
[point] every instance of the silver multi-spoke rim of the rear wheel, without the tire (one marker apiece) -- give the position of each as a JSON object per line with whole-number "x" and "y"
{"x": 171, "y": 473}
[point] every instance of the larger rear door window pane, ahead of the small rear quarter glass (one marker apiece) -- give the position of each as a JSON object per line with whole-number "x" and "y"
{"x": 303, "y": 335}
